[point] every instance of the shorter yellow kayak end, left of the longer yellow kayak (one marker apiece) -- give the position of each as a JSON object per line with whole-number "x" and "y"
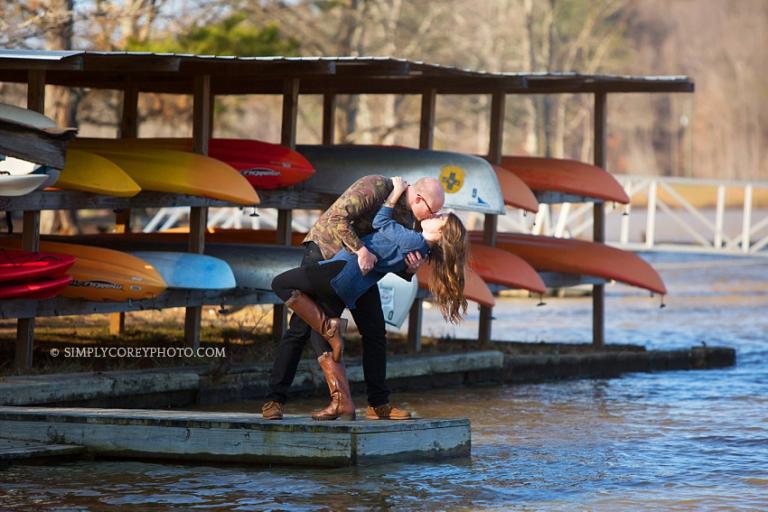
{"x": 89, "y": 172}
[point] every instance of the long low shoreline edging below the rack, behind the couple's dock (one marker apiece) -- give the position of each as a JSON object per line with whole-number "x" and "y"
{"x": 182, "y": 386}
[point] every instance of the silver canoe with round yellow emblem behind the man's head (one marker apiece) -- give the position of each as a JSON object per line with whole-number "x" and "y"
{"x": 469, "y": 182}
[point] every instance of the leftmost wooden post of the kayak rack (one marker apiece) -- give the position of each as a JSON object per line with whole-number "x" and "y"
{"x": 30, "y": 239}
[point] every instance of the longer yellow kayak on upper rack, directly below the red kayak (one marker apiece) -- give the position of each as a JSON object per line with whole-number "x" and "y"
{"x": 178, "y": 172}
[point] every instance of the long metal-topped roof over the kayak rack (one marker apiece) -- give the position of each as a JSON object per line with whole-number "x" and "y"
{"x": 175, "y": 73}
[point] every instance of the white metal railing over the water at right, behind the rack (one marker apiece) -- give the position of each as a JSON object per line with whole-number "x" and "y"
{"x": 664, "y": 214}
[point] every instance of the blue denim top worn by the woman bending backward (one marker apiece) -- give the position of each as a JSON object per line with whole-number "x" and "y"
{"x": 390, "y": 242}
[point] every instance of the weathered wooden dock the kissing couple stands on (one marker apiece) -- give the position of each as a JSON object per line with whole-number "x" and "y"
{"x": 237, "y": 437}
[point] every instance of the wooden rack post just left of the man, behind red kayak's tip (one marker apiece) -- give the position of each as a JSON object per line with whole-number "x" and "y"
{"x": 284, "y": 217}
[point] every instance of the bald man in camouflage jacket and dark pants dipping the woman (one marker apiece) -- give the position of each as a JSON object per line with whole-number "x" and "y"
{"x": 341, "y": 226}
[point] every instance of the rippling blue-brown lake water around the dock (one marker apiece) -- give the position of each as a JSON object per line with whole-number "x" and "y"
{"x": 665, "y": 441}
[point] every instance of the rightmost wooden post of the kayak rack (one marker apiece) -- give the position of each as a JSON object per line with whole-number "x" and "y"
{"x": 598, "y": 231}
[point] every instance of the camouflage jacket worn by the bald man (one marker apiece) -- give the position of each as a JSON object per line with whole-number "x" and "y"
{"x": 351, "y": 216}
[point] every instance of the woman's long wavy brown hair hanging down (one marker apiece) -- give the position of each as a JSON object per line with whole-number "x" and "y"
{"x": 449, "y": 257}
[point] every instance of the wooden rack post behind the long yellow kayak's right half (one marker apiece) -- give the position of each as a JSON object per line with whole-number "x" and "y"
{"x": 198, "y": 215}
